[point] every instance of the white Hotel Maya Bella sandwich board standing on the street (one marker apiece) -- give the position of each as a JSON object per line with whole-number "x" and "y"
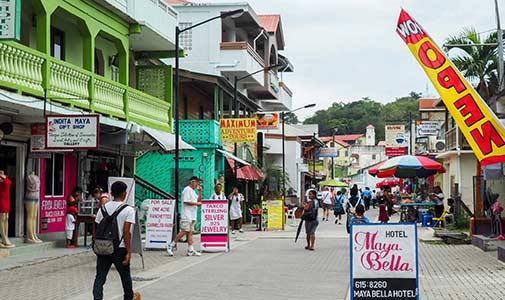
{"x": 384, "y": 262}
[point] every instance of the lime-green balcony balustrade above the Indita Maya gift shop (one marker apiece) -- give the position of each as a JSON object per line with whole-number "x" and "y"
{"x": 24, "y": 70}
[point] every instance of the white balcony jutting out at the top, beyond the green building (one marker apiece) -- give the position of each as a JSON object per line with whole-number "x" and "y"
{"x": 156, "y": 18}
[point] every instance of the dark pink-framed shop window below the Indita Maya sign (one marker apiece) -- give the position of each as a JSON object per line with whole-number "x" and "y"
{"x": 54, "y": 175}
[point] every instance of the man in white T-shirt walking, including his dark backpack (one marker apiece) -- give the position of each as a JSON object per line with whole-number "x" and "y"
{"x": 113, "y": 241}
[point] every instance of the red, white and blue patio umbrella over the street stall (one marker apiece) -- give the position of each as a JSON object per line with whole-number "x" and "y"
{"x": 409, "y": 166}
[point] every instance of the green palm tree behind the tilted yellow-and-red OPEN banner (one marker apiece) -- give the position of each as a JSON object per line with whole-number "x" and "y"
{"x": 477, "y": 62}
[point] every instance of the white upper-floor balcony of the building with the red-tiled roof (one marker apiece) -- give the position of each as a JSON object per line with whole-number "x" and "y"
{"x": 240, "y": 59}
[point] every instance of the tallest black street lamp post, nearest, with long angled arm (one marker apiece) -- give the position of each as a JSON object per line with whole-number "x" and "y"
{"x": 178, "y": 31}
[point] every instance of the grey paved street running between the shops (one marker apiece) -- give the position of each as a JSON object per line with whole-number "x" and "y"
{"x": 260, "y": 266}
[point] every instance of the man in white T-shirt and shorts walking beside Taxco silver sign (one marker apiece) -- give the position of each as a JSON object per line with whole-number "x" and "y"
{"x": 190, "y": 202}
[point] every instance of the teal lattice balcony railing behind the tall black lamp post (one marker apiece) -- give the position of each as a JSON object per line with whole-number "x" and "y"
{"x": 200, "y": 132}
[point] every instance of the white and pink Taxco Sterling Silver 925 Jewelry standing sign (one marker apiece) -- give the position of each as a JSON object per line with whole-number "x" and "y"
{"x": 214, "y": 230}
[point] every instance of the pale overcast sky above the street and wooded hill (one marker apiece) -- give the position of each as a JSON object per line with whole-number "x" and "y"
{"x": 344, "y": 50}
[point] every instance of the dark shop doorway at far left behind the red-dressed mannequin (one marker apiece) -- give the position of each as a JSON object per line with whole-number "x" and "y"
{"x": 8, "y": 165}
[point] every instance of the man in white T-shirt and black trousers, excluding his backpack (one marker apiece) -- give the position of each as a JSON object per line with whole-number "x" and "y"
{"x": 125, "y": 219}
